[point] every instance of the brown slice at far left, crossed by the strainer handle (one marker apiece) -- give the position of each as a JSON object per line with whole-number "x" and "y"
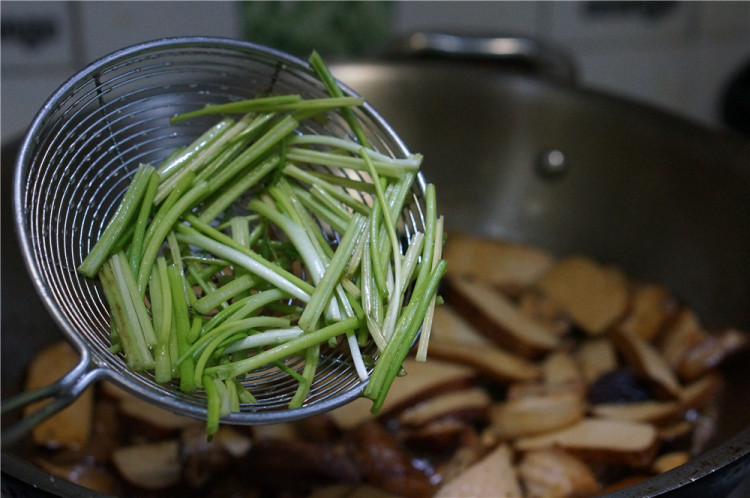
{"x": 70, "y": 427}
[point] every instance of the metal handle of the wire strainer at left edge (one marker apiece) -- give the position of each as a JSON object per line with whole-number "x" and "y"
{"x": 62, "y": 393}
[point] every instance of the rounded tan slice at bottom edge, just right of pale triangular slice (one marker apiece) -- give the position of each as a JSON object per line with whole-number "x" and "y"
{"x": 553, "y": 472}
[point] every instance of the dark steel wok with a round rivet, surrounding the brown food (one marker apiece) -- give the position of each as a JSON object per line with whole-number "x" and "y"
{"x": 521, "y": 151}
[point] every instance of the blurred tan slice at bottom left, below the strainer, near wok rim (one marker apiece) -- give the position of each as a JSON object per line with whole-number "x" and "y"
{"x": 152, "y": 466}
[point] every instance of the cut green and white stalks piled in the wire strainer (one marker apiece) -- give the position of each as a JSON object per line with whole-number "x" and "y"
{"x": 261, "y": 241}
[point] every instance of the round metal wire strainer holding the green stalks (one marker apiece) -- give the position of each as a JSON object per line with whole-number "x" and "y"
{"x": 75, "y": 163}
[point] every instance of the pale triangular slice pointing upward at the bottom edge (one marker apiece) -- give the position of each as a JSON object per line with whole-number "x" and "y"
{"x": 493, "y": 475}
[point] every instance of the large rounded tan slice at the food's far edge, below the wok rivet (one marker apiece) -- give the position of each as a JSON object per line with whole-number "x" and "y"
{"x": 593, "y": 295}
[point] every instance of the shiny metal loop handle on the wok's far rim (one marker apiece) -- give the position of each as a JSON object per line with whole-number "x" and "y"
{"x": 542, "y": 58}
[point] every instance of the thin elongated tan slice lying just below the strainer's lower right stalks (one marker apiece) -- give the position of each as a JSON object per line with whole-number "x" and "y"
{"x": 464, "y": 404}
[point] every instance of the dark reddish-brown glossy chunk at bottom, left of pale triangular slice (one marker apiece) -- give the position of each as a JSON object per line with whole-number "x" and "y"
{"x": 385, "y": 463}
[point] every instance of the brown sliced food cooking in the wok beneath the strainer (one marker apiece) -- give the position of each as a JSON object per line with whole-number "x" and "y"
{"x": 548, "y": 376}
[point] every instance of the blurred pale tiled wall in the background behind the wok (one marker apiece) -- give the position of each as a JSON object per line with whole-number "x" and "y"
{"x": 675, "y": 54}
